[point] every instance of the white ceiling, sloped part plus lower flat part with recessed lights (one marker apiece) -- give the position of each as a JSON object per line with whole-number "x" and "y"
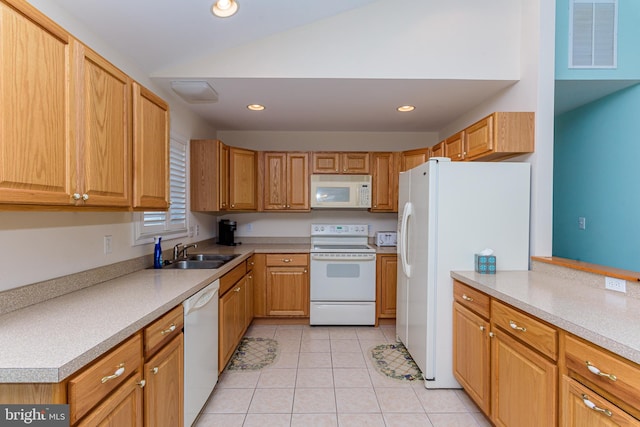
{"x": 159, "y": 34}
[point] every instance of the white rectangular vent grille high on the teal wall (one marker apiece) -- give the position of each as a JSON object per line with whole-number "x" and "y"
{"x": 593, "y": 33}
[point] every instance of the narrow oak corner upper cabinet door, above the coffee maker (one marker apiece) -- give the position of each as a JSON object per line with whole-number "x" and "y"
{"x": 243, "y": 179}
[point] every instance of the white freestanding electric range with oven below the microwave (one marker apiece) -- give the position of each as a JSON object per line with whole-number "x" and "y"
{"x": 343, "y": 275}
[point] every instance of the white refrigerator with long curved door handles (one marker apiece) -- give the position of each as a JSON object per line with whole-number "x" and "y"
{"x": 448, "y": 212}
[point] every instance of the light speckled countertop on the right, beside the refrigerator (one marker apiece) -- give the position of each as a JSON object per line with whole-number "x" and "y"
{"x": 606, "y": 318}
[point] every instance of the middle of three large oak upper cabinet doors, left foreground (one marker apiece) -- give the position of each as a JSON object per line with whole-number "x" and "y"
{"x": 103, "y": 131}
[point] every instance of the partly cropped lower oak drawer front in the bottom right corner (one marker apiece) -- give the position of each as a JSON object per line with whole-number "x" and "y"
{"x": 582, "y": 407}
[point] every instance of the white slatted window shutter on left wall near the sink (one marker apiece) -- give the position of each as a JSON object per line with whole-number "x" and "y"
{"x": 174, "y": 221}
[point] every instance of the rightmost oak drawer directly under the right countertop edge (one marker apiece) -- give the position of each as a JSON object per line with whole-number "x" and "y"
{"x": 599, "y": 367}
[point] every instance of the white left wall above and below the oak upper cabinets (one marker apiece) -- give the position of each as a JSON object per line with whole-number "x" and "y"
{"x": 36, "y": 246}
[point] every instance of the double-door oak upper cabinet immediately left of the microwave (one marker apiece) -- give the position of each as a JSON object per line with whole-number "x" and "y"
{"x": 286, "y": 181}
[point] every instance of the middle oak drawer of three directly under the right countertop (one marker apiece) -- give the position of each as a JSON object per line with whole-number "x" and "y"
{"x": 541, "y": 337}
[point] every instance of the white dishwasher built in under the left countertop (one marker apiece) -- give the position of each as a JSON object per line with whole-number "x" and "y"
{"x": 200, "y": 349}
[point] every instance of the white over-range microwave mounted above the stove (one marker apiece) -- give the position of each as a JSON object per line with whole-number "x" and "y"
{"x": 340, "y": 191}
